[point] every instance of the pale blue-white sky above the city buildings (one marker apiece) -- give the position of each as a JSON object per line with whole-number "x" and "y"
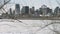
{"x": 36, "y": 3}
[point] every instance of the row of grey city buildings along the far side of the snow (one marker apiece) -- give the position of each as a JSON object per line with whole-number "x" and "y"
{"x": 26, "y": 11}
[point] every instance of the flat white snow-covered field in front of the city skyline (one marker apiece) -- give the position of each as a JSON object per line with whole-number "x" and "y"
{"x": 10, "y": 26}
